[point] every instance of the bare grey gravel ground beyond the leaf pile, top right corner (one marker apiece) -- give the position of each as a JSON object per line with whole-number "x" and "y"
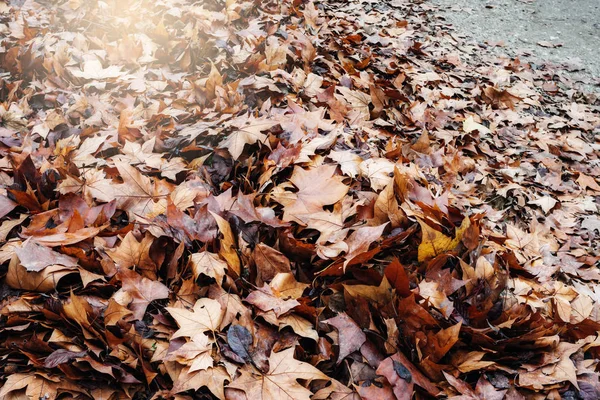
{"x": 564, "y": 34}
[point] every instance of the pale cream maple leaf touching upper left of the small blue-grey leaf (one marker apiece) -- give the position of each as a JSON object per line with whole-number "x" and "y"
{"x": 206, "y": 315}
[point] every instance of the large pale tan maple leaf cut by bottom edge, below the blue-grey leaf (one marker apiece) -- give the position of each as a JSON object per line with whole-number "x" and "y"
{"x": 280, "y": 382}
